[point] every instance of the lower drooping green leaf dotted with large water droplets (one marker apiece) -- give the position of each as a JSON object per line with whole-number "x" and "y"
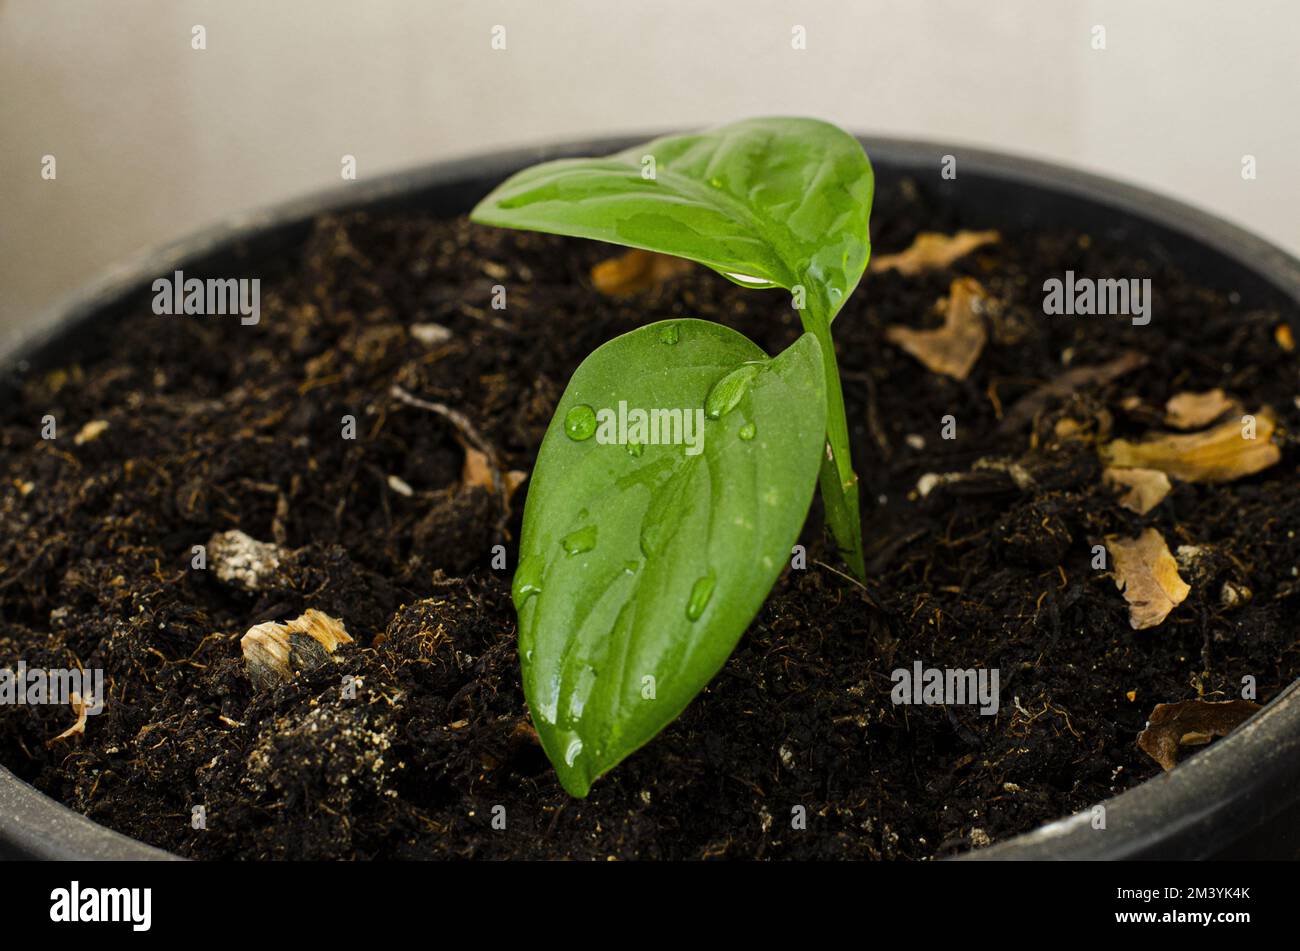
{"x": 643, "y": 564}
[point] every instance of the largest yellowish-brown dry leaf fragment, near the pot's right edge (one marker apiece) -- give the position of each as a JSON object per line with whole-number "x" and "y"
{"x": 1223, "y": 454}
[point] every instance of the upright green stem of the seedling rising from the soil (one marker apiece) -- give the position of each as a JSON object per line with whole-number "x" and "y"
{"x": 838, "y": 480}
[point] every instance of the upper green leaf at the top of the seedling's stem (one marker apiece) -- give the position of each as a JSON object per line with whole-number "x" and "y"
{"x": 783, "y": 202}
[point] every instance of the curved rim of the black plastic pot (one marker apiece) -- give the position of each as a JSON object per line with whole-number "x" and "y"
{"x": 1210, "y": 802}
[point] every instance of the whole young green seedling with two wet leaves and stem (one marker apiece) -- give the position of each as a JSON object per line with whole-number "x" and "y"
{"x": 643, "y": 562}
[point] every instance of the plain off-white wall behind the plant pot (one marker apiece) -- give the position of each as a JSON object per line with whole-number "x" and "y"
{"x": 155, "y": 140}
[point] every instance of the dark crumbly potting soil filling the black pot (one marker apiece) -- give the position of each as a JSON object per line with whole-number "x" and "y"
{"x": 214, "y": 425}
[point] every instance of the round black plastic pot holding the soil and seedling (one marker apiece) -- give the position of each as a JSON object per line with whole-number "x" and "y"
{"x": 1241, "y": 797}
